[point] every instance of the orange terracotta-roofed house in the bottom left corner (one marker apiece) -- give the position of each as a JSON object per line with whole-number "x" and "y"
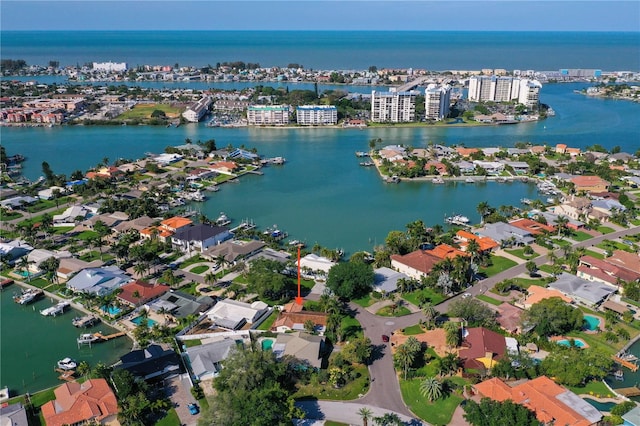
{"x": 75, "y": 403}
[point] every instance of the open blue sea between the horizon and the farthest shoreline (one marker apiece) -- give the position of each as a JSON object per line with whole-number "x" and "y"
{"x": 435, "y": 50}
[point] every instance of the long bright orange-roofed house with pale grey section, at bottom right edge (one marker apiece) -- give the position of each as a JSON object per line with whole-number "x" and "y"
{"x": 552, "y": 403}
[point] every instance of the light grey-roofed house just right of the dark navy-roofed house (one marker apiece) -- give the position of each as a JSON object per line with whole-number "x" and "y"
{"x": 206, "y": 360}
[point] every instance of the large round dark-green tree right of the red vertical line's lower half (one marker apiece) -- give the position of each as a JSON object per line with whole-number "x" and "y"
{"x": 350, "y": 280}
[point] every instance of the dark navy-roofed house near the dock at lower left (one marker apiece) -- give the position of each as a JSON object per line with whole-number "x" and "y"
{"x": 152, "y": 362}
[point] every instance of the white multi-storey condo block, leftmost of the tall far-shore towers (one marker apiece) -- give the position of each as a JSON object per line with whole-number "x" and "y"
{"x": 394, "y": 107}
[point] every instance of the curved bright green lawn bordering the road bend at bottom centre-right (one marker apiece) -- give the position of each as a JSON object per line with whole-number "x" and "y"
{"x": 436, "y": 413}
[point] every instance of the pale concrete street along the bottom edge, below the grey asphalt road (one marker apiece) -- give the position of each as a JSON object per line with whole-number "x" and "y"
{"x": 347, "y": 412}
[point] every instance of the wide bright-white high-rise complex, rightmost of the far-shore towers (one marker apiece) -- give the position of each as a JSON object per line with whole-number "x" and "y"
{"x": 504, "y": 89}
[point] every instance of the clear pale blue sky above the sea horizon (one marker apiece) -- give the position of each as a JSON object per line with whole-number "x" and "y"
{"x": 471, "y": 15}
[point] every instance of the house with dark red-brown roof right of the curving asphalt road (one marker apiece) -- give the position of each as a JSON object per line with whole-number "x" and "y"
{"x": 482, "y": 348}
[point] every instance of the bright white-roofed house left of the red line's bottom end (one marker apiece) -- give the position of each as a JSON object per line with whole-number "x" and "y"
{"x": 233, "y": 315}
